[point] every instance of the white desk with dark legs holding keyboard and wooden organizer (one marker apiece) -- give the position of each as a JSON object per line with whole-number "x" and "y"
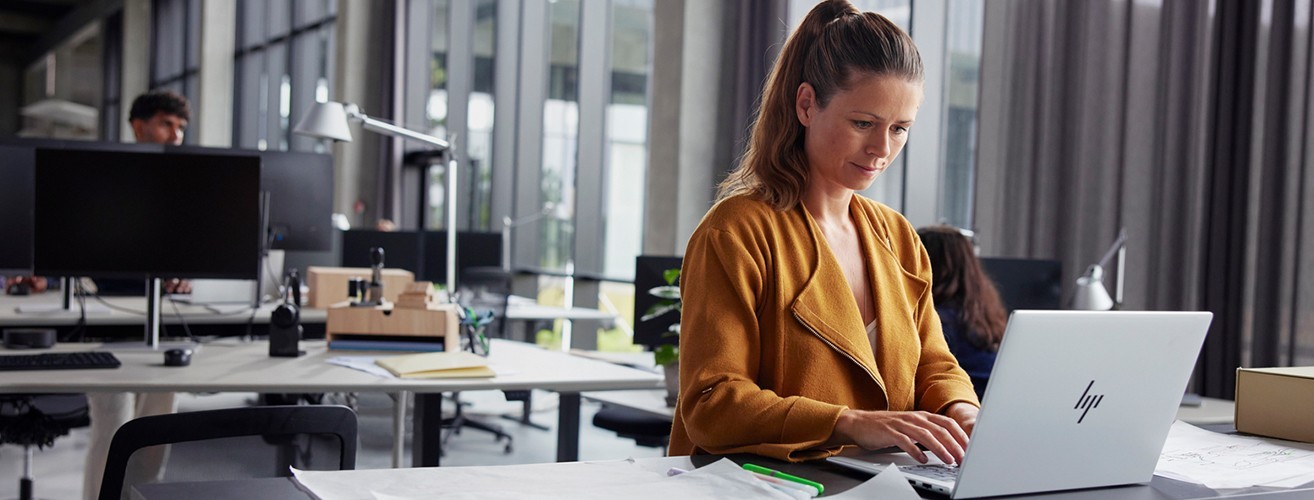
{"x": 233, "y": 367}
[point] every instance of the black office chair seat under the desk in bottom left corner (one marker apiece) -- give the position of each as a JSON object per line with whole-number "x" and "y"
{"x": 37, "y": 421}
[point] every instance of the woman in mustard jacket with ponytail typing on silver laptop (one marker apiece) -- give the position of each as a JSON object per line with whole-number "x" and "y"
{"x": 807, "y": 321}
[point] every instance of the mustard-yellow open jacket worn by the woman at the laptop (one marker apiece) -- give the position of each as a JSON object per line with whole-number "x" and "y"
{"x": 773, "y": 347}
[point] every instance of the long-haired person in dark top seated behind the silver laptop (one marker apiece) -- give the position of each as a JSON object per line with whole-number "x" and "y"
{"x": 970, "y": 310}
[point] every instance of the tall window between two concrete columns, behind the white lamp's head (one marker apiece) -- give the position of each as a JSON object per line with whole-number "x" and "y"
{"x": 283, "y": 65}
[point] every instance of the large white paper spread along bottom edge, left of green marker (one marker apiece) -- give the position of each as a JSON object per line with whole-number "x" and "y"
{"x": 616, "y": 480}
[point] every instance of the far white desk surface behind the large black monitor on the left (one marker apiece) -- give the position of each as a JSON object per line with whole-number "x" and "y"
{"x": 101, "y": 316}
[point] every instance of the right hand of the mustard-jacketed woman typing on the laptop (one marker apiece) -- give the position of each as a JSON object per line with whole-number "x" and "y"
{"x": 873, "y": 431}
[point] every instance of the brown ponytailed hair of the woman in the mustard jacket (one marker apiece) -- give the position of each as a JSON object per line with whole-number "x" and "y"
{"x": 834, "y": 44}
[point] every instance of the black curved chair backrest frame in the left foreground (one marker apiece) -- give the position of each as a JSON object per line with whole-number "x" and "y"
{"x": 216, "y": 425}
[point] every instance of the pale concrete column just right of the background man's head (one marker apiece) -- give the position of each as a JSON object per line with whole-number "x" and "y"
{"x": 212, "y": 110}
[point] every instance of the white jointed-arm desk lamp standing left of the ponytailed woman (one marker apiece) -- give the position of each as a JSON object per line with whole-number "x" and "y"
{"x": 329, "y": 121}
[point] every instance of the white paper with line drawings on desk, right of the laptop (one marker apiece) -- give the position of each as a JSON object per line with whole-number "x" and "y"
{"x": 1227, "y": 461}
